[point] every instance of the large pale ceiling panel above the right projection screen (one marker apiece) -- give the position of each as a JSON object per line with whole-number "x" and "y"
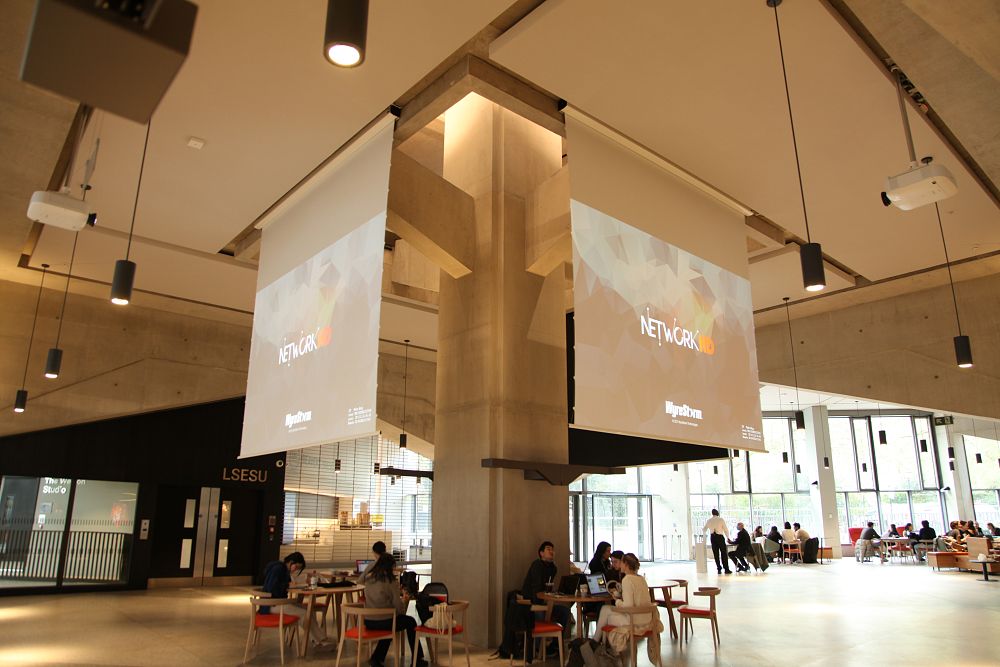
{"x": 700, "y": 83}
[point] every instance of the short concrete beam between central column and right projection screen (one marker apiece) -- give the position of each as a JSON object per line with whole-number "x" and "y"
{"x": 548, "y": 242}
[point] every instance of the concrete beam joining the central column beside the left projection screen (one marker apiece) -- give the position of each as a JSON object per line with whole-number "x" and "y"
{"x": 434, "y": 216}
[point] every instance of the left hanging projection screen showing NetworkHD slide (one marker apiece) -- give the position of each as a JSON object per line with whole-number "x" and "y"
{"x": 314, "y": 346}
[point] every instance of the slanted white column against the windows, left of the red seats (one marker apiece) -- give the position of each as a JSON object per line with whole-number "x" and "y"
{"x": 824, "y": 493}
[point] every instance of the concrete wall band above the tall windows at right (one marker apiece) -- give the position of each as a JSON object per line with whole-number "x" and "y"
{"x": 898, "y": 349}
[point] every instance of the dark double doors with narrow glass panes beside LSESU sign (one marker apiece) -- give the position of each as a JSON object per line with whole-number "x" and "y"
{"x": 205, "y": 535}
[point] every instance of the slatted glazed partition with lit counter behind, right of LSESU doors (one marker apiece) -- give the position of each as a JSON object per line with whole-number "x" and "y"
{"x": 337, "y": 504}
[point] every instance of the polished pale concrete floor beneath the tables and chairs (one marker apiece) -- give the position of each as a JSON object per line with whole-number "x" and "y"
{"x": 837, "y": 614}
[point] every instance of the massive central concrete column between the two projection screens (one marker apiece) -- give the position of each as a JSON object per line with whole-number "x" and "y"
{"x": 501, "y": 373}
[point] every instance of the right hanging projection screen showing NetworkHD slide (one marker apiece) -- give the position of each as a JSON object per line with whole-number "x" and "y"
{"x": 664, "y": 338}
